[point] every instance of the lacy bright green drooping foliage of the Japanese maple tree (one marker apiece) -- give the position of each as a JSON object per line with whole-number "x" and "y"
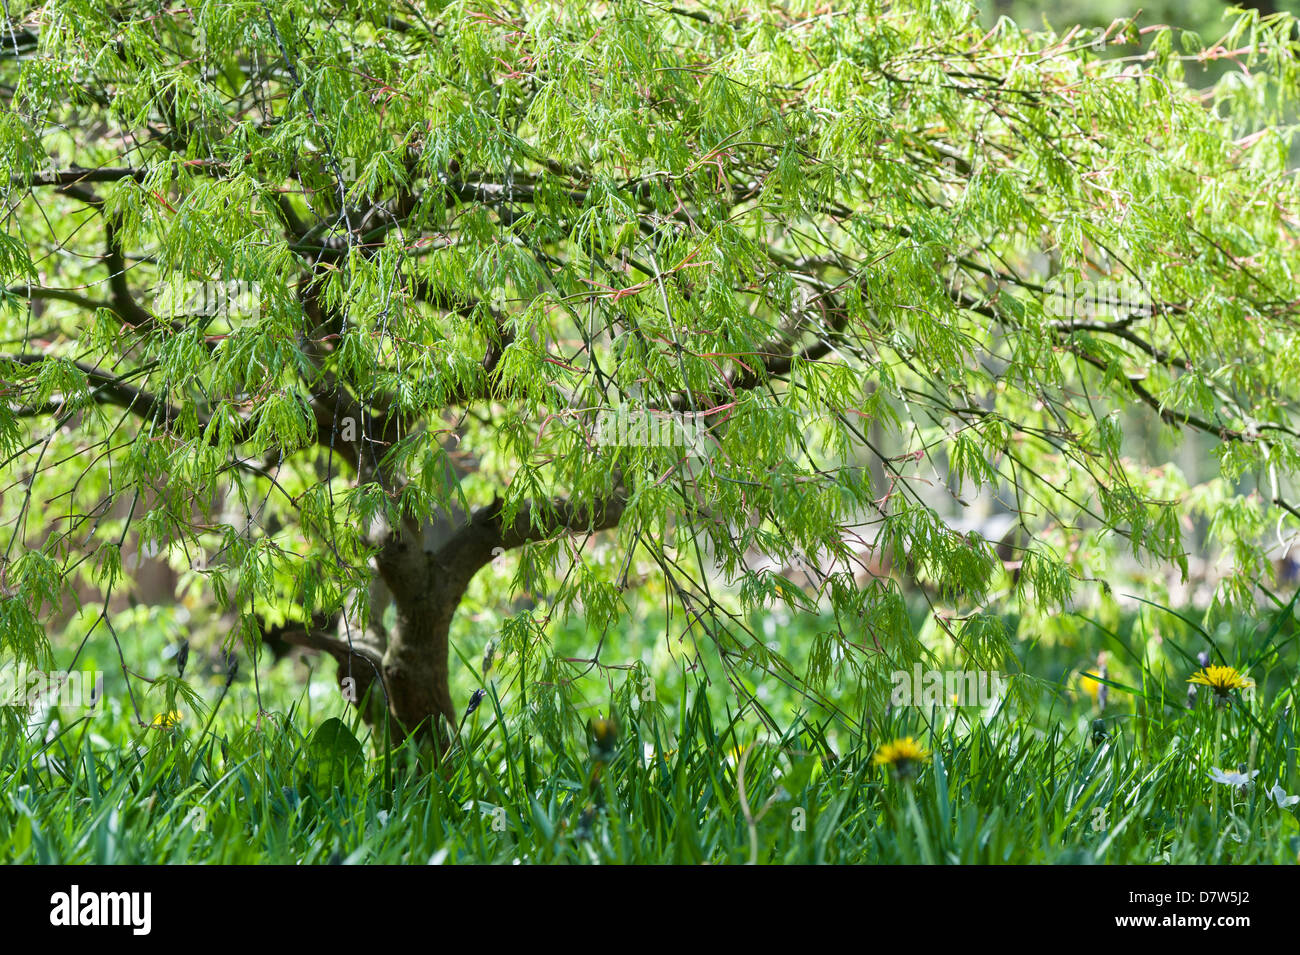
{"x": 447, "y": 229}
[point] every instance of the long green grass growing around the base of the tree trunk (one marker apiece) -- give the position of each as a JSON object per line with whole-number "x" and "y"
{"x": 1047, "y": 778}
